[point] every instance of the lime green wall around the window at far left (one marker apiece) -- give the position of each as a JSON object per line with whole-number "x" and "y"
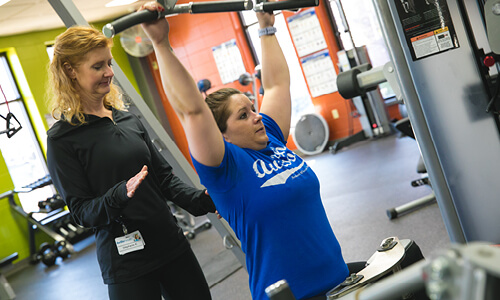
{"x": 30, "y": 49}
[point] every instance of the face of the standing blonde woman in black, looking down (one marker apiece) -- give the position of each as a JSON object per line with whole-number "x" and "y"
{"x": 94, "y": 74}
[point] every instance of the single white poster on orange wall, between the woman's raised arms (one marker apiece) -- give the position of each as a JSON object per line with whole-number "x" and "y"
{"x": 228, "y": 60}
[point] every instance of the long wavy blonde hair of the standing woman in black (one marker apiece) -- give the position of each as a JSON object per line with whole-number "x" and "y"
{"x": 70, "y": 48}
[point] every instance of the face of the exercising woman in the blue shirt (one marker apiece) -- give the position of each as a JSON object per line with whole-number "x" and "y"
{"x": 244, "y": 126}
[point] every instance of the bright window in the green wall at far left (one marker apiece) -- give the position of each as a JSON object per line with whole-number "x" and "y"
{"x": 22, "y": 152}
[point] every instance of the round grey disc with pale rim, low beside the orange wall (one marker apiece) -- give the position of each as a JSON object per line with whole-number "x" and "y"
{"x": 311, "y": 134}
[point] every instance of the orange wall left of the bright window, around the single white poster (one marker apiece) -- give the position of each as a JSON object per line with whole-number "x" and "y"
{"x": 192, "y": 38}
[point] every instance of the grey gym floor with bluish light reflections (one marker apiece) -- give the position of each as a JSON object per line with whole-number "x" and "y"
{"x": 359, "y": 183}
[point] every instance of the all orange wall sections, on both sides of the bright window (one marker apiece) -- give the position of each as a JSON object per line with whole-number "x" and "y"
{"x": 193, "y": 36}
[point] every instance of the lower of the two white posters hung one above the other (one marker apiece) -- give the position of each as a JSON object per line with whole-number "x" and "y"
{"x": 320, "y": 73}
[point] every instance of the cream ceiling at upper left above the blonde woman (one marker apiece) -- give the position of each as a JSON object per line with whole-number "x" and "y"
{"x": 21, "y": 16}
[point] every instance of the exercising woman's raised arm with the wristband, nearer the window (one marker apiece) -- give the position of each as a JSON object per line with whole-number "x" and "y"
{"x": 275, "y": 78}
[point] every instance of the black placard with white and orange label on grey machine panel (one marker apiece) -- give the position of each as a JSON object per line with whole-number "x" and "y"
{"x": 427, "y": 26}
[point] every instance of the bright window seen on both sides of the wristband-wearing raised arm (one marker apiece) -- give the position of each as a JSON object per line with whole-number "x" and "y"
{"x": 301, "y": 100}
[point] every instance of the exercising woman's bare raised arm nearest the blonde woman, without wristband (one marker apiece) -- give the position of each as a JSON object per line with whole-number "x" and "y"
{"x": 204, "y": 138}
